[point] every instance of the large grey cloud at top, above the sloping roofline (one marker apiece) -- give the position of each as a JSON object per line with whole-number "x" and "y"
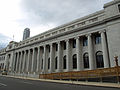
{"x": 58, "y": 11}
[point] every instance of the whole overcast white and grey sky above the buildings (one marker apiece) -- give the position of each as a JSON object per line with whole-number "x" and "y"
{"x": 41, "y": 15}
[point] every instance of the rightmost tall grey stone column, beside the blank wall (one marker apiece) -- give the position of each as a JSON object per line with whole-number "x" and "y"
{"x": 105, "y": 50}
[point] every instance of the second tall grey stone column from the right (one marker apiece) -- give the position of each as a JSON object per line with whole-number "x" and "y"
{"x": 91, "y": 52}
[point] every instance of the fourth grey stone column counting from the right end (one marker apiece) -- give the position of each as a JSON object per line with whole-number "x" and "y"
{"x": 68, "y": 56}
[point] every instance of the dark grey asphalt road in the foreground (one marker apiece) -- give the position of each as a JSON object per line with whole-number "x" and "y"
{"x": 7, "y": 83}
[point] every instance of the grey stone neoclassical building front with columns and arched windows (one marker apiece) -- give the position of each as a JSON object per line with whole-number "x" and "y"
{"x": 87, "y": 43}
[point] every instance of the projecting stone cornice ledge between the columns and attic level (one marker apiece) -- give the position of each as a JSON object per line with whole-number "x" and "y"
{"x": 71, "y": 31}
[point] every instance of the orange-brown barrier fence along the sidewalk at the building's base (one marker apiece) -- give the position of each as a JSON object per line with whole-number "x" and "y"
{"x": 87, "y": 74}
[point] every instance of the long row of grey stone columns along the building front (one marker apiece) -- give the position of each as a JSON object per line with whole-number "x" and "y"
{"x": 35, "y": 59}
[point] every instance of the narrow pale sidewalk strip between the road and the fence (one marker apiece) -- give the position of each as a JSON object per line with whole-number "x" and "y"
{"x": 99, "y": 84}
